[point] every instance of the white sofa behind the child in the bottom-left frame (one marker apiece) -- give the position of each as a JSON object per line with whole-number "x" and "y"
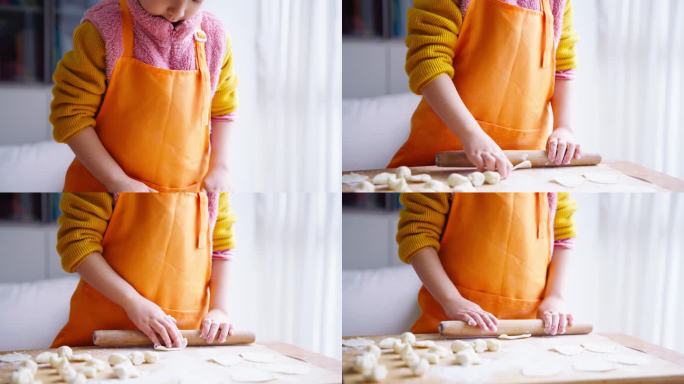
{"x": 33, "y": 313}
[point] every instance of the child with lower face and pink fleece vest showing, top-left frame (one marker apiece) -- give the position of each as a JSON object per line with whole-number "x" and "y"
{"x": 138, "y": 95}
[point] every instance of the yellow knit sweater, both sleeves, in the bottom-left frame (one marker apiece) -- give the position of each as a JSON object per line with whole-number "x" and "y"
{"x": 85, "y": 217}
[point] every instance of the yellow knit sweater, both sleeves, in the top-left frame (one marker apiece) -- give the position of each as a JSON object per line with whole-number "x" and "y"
{"x": 80, "y": 85}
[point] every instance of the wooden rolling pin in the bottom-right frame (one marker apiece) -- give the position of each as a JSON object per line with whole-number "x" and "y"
{"x": 459, "y": 329}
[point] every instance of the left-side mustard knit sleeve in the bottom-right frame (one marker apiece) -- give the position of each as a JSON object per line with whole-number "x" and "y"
{"x": 421, "y": 222}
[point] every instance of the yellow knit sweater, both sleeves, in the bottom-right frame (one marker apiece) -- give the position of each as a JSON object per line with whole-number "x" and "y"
{"x": 423, "y": 217}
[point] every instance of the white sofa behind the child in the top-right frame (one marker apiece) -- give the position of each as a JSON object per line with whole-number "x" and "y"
{"x": 373, "y": 129}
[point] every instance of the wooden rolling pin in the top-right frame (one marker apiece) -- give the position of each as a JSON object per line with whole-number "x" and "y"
{"x": 458, "y": 159}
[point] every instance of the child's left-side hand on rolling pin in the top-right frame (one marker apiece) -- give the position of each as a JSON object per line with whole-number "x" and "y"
{"x": 482, "y": 151}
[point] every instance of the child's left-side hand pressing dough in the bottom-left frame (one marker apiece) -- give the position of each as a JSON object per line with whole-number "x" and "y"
{"x": 153, "y": 322}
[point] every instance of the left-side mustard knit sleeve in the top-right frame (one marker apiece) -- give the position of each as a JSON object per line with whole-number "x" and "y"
{"x": 433, "y": 27}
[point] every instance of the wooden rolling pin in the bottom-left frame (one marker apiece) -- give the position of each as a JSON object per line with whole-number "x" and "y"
{"x": 129, "y": 338}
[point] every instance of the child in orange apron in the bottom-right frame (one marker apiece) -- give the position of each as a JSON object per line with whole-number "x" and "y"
{"x": 487, "y": 256}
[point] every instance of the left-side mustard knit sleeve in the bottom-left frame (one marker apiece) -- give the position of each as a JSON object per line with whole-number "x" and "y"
{"x": 82, "y": 225}
